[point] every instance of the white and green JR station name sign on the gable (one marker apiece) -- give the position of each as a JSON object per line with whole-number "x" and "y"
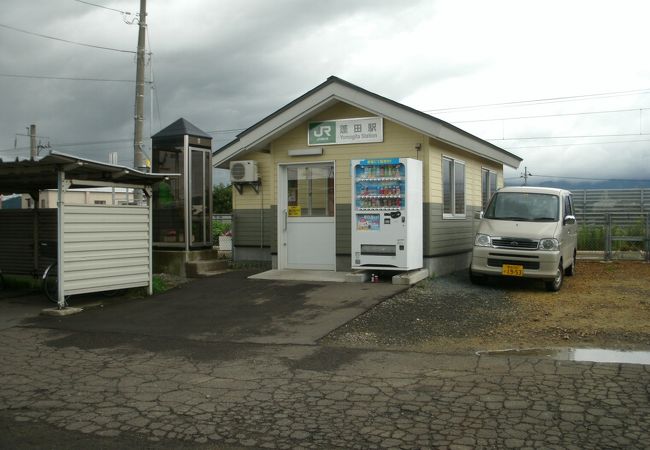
{"x": 346, "y": 131}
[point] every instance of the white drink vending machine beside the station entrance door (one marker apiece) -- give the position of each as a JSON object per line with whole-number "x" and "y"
{"x": 387, "y": 214}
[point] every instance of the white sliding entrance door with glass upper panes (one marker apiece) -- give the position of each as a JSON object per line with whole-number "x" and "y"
{"x": 306, "y": 223}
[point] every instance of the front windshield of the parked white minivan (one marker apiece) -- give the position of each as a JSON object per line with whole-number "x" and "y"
{"x": 524, "y": 206}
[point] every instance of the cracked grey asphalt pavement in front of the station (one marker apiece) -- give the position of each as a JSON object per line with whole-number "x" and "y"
{"x": 229, "y": 362}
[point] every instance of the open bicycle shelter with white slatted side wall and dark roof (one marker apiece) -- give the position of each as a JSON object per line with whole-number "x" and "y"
{"x": 99, "y": 247}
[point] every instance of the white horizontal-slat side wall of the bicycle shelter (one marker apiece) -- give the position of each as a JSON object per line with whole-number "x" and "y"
{"x": 105, "y": 247}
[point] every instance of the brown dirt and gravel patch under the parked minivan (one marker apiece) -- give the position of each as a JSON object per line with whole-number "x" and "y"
{"x": 605, "y": 305}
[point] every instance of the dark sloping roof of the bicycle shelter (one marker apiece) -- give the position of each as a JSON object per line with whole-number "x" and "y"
{"x": 36, "y": 174}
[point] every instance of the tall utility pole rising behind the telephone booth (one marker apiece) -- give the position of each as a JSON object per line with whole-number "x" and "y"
{"x": 138, "y": 150}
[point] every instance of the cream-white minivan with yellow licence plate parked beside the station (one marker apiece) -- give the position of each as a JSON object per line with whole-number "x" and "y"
{"x": 526, "y": 232}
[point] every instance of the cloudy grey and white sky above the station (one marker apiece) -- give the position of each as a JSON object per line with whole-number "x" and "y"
{"x": 565, "y": 85}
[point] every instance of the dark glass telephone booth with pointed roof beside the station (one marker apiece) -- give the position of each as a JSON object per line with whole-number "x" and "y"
{"x": 182, "y": 205}
